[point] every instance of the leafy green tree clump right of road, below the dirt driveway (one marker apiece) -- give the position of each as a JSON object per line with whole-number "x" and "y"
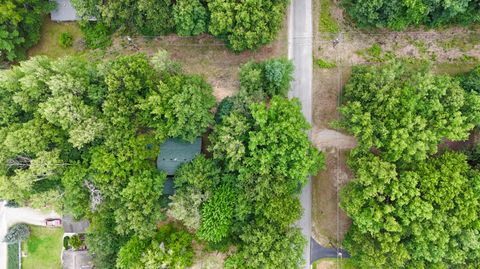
{"x": 425, "y": 216}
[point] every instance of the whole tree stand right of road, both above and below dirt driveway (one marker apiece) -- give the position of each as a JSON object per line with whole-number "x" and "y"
{"x": 411, "y": 208}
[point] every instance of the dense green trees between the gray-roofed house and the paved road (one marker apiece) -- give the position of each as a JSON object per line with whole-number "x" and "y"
{"x": 261, "y": 157}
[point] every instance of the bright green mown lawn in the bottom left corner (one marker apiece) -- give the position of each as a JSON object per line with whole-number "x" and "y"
{"x": 43, "y": 248}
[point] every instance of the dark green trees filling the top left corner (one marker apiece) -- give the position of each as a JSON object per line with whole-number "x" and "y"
{"x": 20, "y": 22}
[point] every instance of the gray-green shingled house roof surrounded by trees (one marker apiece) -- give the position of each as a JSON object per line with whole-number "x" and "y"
{"x": 175, "y": 152}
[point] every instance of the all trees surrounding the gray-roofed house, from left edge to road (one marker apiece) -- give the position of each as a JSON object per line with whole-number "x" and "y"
{"x": 83, "y": 137}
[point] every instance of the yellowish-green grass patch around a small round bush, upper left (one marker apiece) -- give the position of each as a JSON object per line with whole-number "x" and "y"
{"x": 50, "y": 35}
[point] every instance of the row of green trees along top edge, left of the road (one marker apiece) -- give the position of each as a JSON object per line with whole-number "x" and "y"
{"x": 244, "y": 25}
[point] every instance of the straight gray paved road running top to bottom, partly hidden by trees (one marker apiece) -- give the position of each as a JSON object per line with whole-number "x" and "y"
{"x": 300, "y": 51}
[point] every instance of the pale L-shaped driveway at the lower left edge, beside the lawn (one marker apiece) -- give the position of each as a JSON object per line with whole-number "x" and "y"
{"x": 10, "y": 216}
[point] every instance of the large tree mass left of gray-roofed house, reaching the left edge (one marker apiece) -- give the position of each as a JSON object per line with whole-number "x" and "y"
{"x": 83, "y": 137}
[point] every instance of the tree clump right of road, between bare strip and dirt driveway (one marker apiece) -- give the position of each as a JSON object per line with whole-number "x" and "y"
{"x": 405, "y": 113}
